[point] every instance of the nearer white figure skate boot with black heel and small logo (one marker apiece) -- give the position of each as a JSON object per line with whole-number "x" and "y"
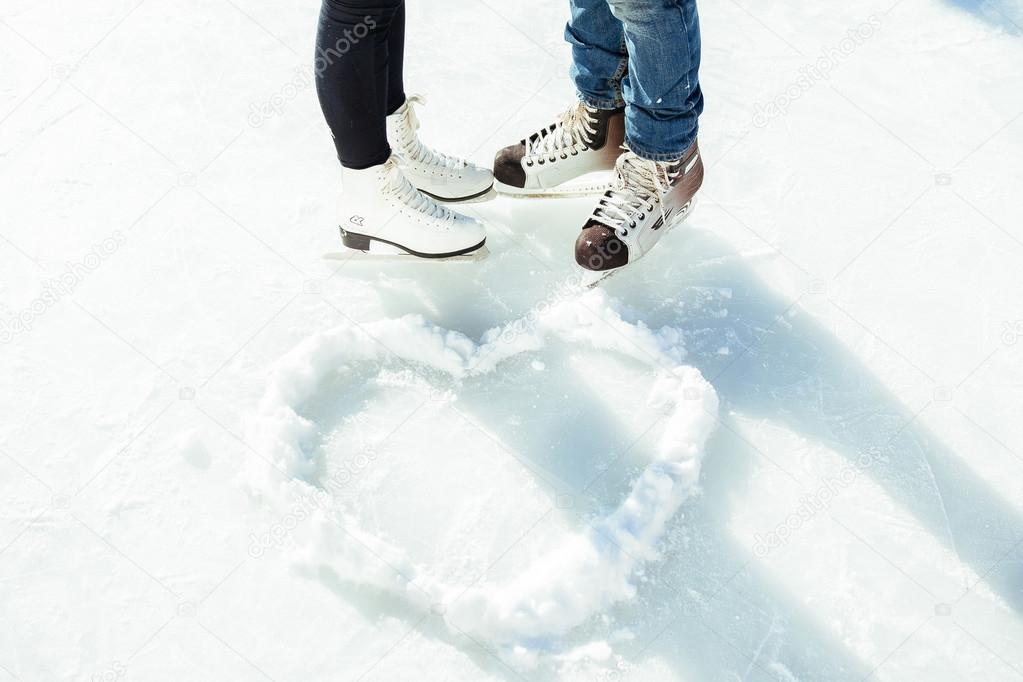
{"x": 382, "y": 213}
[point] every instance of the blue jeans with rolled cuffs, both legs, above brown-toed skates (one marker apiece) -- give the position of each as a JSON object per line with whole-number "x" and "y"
{"x": 645, "y": 56}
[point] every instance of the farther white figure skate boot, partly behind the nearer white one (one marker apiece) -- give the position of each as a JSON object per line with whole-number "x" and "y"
{"x": 443, "y": 177}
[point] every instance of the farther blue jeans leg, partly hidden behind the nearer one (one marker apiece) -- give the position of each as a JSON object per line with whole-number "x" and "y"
{"x": 599, "y": 58}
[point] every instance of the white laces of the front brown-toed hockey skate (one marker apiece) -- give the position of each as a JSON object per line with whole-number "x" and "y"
{"x": 637, "y": 192}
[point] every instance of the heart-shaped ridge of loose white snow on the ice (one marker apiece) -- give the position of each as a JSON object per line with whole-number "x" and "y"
{"x": 593, "y": 569}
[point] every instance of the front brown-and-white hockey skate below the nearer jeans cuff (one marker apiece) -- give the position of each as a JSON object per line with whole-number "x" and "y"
{"x": 646, "y": 202}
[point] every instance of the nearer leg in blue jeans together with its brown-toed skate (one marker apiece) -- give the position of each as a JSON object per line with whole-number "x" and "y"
{"x": 659, "y": 176}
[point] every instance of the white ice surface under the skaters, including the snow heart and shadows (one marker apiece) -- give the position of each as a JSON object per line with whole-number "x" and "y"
{"x": 226, "y": 459}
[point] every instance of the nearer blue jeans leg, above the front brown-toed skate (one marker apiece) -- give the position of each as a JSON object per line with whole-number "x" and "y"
{"x": 662, "y": 86}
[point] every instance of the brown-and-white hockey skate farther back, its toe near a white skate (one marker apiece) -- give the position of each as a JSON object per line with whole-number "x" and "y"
{"x": 573, "y": 156}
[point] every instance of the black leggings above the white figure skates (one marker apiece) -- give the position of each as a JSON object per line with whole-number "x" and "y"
{"x": 361, "y": 48}
